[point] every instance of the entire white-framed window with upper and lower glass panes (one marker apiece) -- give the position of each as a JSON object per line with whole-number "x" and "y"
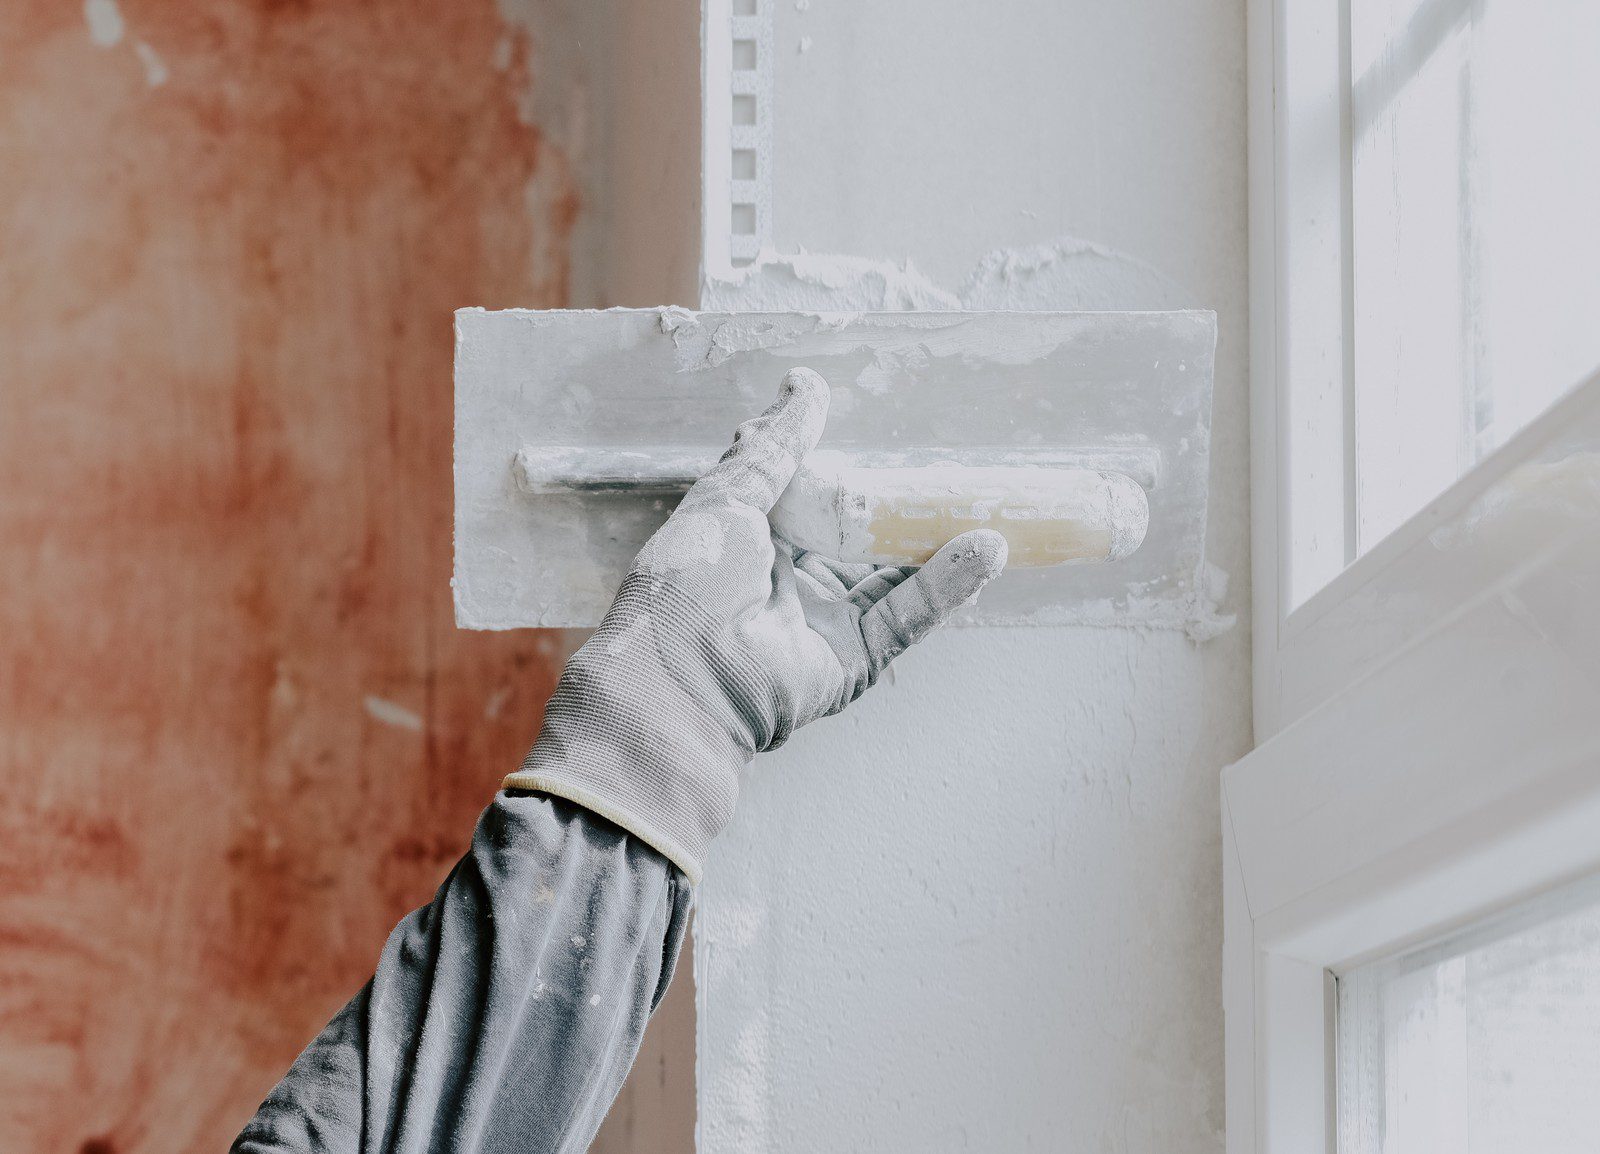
{"x": 1407, "y": 964}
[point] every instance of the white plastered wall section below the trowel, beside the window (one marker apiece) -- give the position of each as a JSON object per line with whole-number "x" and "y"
{"x": 978, "y": 912}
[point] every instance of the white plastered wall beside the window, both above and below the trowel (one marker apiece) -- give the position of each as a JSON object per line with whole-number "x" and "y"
{"x": 982, "y": 910}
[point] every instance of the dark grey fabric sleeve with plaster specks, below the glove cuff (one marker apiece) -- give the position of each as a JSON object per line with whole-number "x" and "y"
{"x": 503, "y": 1016}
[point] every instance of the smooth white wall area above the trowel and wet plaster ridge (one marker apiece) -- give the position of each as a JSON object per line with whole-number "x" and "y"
{"x": 940, "y": 130}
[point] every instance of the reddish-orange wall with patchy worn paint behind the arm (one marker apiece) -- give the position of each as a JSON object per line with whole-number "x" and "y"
{"x": 239, "y": 734}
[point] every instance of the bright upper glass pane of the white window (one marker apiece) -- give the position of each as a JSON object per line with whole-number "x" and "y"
{"x": 1476, "y": 242}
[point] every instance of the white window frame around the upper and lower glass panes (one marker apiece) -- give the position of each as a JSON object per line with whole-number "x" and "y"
{"x": 1430, "y": 719}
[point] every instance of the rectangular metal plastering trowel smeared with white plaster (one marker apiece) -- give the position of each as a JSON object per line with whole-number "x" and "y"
{"x": 1082, "y": 438}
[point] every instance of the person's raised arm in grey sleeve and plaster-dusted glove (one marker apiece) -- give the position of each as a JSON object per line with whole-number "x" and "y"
{"x": 506, "y": 1014}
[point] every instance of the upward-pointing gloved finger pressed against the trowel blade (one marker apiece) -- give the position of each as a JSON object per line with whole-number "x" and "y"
{"x": 769, "y": 449}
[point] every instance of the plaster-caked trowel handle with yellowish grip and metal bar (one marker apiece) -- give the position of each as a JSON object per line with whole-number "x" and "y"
{"x": 898, "y": 515}
